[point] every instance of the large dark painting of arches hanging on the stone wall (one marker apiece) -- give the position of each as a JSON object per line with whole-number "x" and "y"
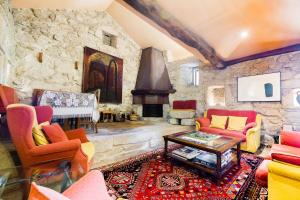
{"x": 105, "y": 72}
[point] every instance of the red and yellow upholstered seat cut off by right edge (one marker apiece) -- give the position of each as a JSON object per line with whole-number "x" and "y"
{"x": 280, "y": 171}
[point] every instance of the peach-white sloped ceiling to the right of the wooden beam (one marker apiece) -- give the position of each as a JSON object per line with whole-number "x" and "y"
{"x": 270, "y": 24}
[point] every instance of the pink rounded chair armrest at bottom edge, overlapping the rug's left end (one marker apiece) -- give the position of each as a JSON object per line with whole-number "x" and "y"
{"x": 90, "y": 186}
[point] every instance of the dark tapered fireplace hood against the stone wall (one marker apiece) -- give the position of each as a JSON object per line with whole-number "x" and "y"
{"x": 153, "y": 84}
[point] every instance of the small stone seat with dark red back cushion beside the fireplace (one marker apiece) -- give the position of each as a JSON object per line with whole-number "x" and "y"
{"x": 183, "y": 113}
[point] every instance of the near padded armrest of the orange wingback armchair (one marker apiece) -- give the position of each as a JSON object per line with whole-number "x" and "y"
{"x": 70, "y": 145}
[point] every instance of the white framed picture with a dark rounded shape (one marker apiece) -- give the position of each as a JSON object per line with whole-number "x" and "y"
{"x": 260, "y": 88}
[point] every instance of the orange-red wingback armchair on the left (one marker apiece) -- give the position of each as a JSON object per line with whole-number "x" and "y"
{"x": 21, "y": 119}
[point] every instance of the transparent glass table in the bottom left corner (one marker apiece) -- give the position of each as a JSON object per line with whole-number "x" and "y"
{"x": 15, "y": 182}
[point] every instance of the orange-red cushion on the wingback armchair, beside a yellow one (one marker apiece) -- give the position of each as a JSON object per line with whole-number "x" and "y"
{"x": 55, "y": 133}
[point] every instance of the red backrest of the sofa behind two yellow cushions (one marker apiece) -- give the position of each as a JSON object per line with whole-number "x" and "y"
{"x": 250, "y": 114}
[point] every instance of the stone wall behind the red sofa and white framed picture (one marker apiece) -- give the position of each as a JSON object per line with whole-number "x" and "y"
{"x": 275, "y": 114}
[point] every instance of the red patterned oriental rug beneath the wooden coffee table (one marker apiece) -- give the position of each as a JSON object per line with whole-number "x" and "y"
{"x": 150, "y": 176}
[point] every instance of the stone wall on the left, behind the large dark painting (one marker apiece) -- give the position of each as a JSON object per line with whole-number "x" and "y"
{"x": 61, "y": 35}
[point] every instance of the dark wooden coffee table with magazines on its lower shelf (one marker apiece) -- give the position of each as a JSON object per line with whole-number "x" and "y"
{"x": 207, "y": 152}
